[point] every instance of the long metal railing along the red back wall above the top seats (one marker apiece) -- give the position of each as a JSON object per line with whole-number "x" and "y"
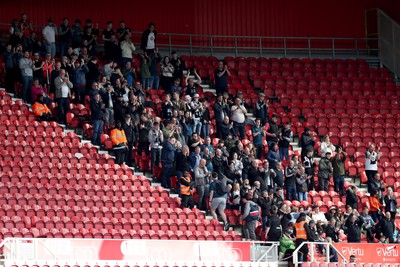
{"x": 258, "y": 45}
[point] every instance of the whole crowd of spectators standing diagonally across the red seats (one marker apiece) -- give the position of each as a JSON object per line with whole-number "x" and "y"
{"x": 252, "y": 173}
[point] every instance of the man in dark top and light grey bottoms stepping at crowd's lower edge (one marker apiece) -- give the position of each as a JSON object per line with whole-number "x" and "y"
{"x": 218, "y": 196}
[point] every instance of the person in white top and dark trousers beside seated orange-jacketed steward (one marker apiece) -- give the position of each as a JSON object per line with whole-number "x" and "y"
{"x": 63, "y": 93}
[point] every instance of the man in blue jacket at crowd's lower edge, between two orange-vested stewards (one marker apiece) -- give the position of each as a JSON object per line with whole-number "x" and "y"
{"x": 167, "y": 161}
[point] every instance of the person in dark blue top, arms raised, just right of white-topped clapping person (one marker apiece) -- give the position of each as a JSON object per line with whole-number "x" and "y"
{"x": 79, "y": 80}
